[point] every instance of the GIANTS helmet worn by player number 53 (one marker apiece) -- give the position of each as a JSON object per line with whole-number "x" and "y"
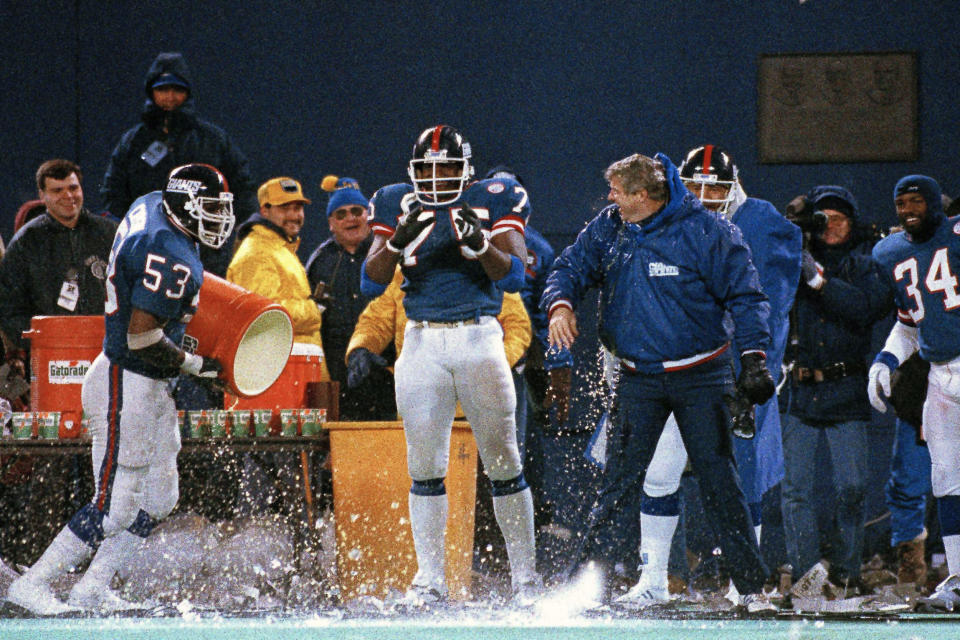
{"x": 198, "y": 202}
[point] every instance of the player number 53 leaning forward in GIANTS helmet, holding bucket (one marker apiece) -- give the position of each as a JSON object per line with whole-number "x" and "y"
{"x": 153, "y": 287}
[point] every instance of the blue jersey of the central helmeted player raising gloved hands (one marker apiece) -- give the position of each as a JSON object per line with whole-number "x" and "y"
{"x": 440, "y": 282}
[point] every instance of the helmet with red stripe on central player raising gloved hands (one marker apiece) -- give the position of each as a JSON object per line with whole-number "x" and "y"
{"x": 440, "y": 168}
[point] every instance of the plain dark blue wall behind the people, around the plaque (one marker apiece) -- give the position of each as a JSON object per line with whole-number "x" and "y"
{"x": 558, "y": 90}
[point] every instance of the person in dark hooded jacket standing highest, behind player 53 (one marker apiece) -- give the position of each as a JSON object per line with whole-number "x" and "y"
{"x": 172, "y": 134}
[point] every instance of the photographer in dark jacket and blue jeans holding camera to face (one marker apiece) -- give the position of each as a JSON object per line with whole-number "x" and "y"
{"x": 839, "y": 299}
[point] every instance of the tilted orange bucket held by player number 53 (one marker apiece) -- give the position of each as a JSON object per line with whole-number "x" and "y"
{"x": 249, "y": 334}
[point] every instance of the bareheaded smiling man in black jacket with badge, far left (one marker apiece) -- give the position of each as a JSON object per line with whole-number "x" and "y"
{"x": 56, "y": 265}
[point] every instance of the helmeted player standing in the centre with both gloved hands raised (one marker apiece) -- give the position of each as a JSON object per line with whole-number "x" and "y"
{"x": 459, "y": 244}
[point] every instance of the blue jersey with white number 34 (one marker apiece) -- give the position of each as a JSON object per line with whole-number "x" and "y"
{"x": 924, "y": 277}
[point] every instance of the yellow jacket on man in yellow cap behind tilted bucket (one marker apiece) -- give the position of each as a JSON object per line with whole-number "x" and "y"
{"x": 266, "y": 263}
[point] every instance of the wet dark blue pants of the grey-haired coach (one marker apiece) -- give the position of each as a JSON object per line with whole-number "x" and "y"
{"x": 641, "y": 407}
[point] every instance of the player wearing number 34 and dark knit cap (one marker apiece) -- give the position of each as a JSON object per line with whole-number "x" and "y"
{"x": 922, "y": 264}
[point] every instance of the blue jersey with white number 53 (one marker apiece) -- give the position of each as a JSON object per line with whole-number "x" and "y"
{"x": 153, "y": 267}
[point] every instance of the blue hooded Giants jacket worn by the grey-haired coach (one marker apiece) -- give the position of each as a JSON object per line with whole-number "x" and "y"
{"x": 664, "y": 285}
